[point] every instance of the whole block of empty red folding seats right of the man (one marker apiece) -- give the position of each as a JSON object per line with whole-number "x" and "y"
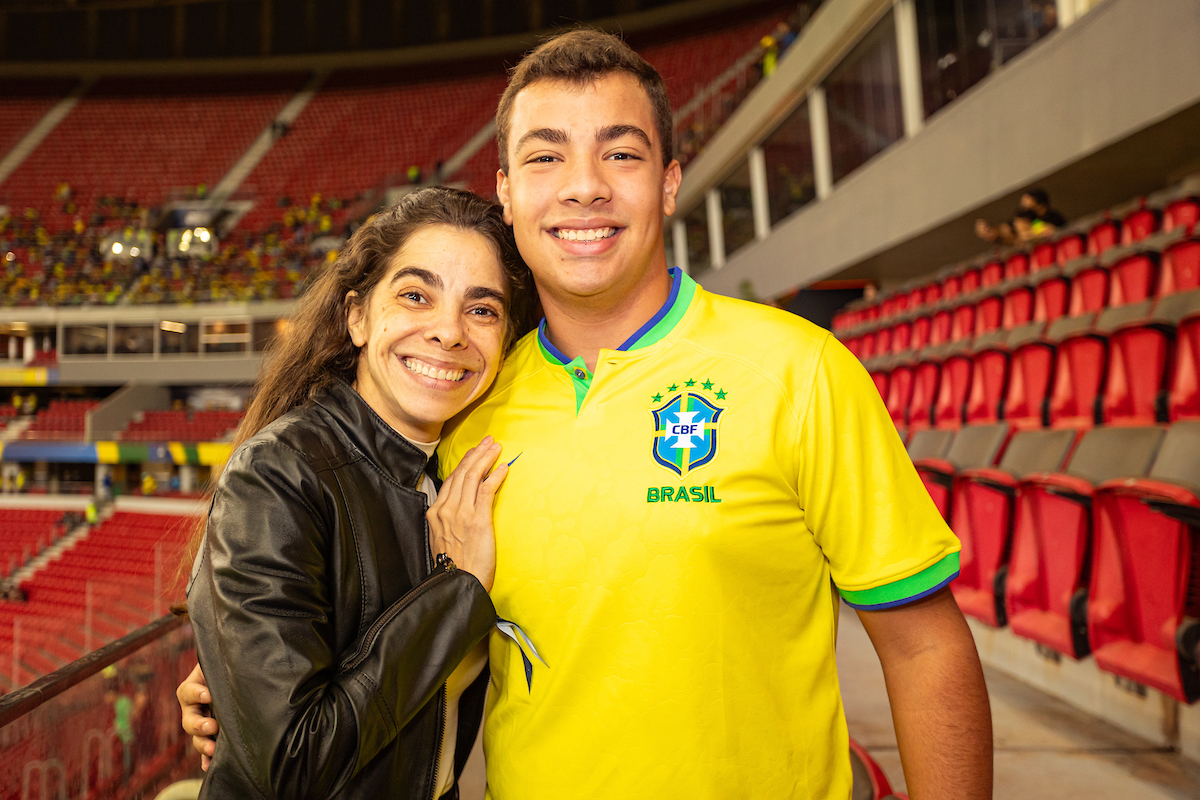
{"x": 1053, "y": 416}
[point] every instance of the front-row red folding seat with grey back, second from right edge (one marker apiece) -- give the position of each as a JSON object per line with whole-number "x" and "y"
{"x": 1049, "y": 568}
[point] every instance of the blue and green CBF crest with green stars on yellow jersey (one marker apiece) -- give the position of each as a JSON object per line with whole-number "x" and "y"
{"x": 687, "y": 428}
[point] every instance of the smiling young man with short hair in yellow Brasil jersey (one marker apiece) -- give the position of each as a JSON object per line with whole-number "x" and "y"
{"x": 698, "y": 480}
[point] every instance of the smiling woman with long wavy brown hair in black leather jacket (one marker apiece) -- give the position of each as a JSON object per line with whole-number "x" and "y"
{"x": 341, "y": 657}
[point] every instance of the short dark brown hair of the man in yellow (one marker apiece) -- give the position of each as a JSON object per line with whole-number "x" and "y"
{"x": 581, "y": 57}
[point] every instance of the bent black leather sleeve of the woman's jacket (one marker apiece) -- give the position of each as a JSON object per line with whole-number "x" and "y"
{"x": 304, "y": 719}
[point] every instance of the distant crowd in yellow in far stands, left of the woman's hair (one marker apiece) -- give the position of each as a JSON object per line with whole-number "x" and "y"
{"x": 79, "y": 267}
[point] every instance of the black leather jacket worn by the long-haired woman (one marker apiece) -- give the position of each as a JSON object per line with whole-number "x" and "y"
{"x": 323, "y": 628}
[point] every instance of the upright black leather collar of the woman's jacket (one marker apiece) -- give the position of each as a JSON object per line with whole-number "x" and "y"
{"x": 367, "y": 431}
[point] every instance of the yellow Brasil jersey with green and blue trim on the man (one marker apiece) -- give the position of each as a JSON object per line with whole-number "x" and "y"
{"x": 671, "y": 539}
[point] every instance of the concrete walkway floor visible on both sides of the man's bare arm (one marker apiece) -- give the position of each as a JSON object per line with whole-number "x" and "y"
{"x": 1045, "y": 748}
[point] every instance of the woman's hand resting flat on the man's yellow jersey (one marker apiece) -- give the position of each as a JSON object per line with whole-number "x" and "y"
{"x": 461, "y": 518}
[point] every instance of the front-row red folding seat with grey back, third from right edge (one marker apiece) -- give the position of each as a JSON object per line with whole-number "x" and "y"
{"x": 982, "y": 519}
